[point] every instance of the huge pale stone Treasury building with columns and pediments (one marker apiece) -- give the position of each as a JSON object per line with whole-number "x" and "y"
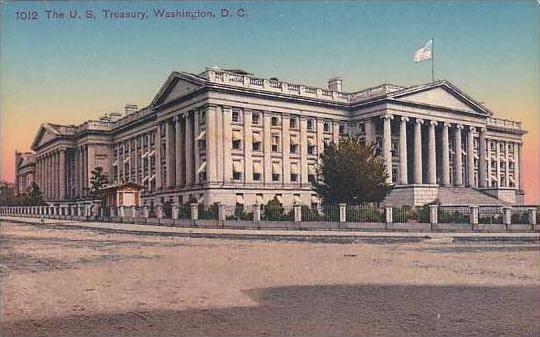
{"x": 227, "y": 136}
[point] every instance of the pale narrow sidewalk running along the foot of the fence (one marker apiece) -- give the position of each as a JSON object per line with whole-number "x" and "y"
{"x": 303, "y": 235}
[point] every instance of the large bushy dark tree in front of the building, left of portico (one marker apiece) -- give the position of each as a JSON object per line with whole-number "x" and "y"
{"x": 349, "y": 172}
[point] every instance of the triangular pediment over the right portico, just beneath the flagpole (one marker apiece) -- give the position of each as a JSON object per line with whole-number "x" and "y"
{"x": 445, "y": 96}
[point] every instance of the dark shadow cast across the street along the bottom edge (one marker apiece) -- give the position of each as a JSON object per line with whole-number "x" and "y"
{"x": 338, "y": 310}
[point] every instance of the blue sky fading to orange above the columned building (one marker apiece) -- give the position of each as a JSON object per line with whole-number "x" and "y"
{"x": 66, "y": 70}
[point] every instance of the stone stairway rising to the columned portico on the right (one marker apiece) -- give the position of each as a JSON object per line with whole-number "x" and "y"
{"x": 467, "y": 196}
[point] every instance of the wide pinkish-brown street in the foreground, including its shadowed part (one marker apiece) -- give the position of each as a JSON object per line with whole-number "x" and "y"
{"x": 90, "y": 283}
